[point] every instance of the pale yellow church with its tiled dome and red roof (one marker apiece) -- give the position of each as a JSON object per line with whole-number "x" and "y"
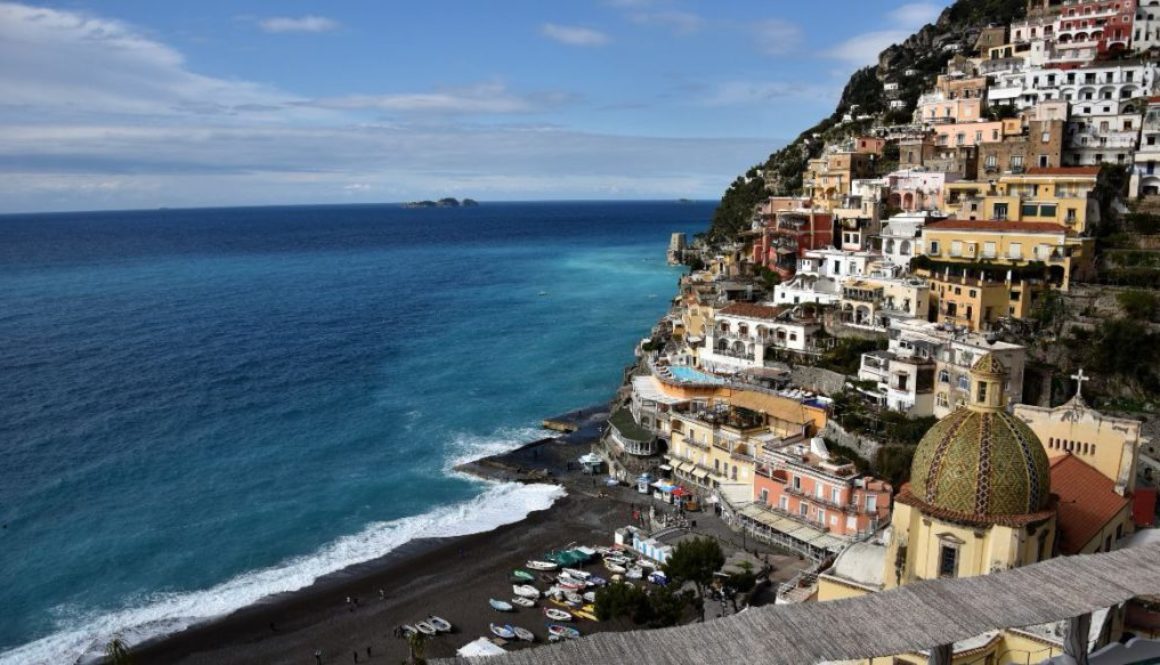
{"x": 984, "y": 497}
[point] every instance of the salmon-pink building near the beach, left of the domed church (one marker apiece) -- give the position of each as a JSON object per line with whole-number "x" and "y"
{"x": 809, "y": 486}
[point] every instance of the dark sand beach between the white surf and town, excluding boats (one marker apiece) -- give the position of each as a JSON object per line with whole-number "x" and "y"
{"x": 286, "y": 625}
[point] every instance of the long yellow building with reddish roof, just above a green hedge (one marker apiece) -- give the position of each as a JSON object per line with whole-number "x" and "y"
{"x": 1010, "y": 244}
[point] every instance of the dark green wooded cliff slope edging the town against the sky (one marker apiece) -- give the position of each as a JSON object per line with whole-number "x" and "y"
{"x": 915, "y": 66}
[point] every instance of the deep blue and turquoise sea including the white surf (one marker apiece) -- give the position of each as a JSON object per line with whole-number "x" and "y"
{"x": 201, "y": 408}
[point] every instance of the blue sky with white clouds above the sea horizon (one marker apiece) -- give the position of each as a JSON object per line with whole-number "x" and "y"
{"x": 144, "y": 104}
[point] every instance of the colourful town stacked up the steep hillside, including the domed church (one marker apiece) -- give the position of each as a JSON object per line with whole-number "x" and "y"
{"x": 890, "y": 371}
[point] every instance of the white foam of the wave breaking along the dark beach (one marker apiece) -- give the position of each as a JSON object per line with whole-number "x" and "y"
{"x": 83, "y": 638}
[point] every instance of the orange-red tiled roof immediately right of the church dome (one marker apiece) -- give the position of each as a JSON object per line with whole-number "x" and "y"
{"x": 1087, "y": 502}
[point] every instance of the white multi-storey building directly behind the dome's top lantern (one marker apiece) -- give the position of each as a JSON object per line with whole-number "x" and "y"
{"x": 926, "y": 368}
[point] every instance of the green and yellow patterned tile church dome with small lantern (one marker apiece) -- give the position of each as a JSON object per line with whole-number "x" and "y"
{"x": 982, "y": 464}
